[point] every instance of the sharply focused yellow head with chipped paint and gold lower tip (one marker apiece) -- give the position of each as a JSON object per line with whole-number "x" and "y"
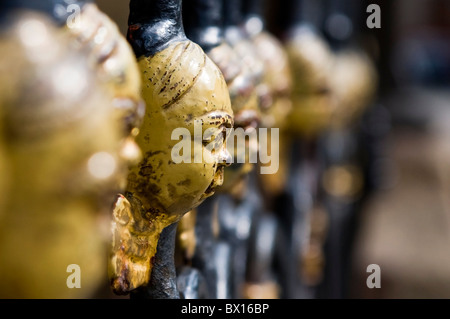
{"x": 181, "y": 84}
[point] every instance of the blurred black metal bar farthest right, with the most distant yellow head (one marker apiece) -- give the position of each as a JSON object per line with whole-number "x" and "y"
{"x": 356, "y": 145}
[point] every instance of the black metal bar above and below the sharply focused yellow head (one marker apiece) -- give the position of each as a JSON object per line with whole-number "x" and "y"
{"x": 153, "y": 26}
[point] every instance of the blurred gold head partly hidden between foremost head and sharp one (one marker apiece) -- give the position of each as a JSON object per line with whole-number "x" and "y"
{"x": 115, "y": 64}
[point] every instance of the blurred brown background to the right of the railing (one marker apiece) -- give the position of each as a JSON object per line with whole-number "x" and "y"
{"x": 404, "y": 225}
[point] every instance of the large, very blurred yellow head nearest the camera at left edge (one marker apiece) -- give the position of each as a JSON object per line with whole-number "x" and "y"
{"x": 53, "y": 212}
